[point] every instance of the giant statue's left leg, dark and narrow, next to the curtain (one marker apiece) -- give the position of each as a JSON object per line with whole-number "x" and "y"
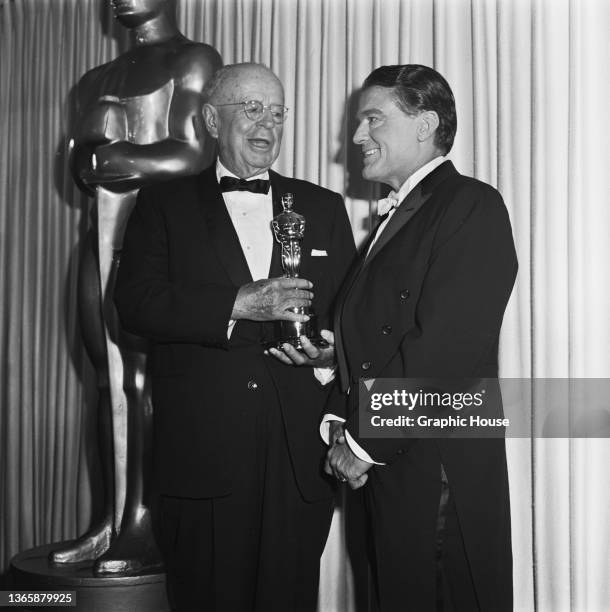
{"x": 97, "y": 539}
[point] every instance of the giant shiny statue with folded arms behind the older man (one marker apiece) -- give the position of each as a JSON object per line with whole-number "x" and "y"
{"x": 138, "y": 121}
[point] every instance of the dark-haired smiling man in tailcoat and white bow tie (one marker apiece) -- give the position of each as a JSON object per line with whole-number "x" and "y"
{"x": 425, "y": 299}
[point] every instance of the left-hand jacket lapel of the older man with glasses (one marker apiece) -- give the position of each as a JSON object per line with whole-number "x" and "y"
{"x": 220, "y": 229}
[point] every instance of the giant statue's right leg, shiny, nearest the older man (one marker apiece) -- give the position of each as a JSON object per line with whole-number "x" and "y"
{"x": 134, "y": 548}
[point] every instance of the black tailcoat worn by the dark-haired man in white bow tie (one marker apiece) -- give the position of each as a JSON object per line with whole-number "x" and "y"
{"x": 428, "y": 301}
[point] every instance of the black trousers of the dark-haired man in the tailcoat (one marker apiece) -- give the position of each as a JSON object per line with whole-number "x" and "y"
{"x": 420, "y": 562}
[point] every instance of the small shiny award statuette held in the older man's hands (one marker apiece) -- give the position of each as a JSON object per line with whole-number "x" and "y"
{"x": 289, "y": 228}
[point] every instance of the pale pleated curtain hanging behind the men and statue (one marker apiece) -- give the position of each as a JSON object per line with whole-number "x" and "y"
{"x": 532, "y": 84}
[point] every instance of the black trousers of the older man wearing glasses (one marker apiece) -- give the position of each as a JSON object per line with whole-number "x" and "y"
{"x": 257, "y": 549}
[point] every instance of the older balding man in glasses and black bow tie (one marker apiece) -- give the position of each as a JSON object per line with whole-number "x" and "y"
{"x": 245, "y": 505}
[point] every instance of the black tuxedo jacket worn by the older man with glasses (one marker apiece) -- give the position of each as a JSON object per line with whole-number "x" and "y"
{"x": 180, "y": 270}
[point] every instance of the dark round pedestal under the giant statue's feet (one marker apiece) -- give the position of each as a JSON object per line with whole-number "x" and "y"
{"x": 144, "y": 592}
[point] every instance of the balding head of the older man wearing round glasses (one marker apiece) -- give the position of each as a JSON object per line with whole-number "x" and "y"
{"x": 248, "y": 142}
